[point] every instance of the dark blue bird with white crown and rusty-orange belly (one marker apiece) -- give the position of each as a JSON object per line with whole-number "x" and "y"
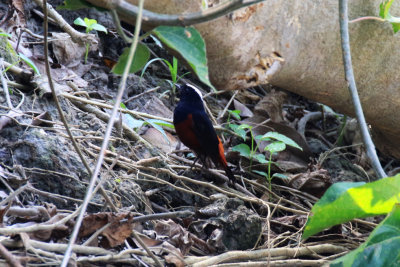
{"x": 195, "y": 129}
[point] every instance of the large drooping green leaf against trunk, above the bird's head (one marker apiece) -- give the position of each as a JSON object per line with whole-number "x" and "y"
{"x": 189, "y": 44}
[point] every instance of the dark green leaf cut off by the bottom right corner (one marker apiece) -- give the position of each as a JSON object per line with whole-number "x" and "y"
{"x": 382, "y": 247}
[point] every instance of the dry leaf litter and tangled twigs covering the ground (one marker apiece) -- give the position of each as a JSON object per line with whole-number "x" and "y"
{"x": 200, "y": 222}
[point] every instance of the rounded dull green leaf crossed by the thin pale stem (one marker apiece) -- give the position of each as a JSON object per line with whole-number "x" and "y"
{"x": 140, "y": 58}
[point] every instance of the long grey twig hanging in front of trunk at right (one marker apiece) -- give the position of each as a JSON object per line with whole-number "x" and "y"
{"x": 344, "y": 34}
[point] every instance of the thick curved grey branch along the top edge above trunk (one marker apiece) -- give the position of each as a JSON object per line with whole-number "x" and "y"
{"x": 153, "y": 19}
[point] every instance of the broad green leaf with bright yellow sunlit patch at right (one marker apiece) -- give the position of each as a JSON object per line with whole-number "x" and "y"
{"x": 339, "y": 205}
